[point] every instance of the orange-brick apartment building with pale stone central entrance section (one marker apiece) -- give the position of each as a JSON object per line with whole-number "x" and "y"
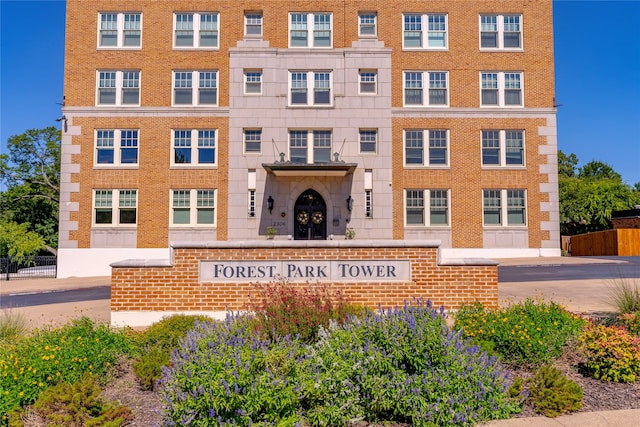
{"x": 208, "y": 121}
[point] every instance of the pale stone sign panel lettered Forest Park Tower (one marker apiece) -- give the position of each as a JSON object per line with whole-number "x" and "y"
{"x": 334, "y": 270}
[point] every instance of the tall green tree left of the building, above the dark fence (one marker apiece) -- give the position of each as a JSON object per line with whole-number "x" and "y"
{"x": 31, "y": 174}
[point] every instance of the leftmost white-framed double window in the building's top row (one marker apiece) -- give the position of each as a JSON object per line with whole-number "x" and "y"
{"x": 120, "y": 30}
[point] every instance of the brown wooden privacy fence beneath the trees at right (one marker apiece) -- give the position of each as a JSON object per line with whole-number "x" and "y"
{"x": 618, "y": 242}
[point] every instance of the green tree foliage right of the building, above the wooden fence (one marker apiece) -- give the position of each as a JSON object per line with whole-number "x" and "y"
{"x": 589, "y": 194}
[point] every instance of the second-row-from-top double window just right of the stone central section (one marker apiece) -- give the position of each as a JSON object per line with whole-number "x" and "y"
{"x": 434, "y": 83}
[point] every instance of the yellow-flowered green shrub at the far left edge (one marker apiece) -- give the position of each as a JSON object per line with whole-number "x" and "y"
{"x": 50, "y": 356}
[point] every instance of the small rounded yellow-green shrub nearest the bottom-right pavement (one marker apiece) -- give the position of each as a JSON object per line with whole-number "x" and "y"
{"x": 551, "y": 393}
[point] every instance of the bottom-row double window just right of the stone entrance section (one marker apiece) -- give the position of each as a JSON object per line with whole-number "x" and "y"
{"x": 427, "y": 208}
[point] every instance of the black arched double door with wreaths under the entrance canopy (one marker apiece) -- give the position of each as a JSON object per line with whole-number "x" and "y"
{"x": 310, "y": 217}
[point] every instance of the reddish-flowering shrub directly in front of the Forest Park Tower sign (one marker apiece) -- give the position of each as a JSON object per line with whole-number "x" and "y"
{"x": 282, "y": 308}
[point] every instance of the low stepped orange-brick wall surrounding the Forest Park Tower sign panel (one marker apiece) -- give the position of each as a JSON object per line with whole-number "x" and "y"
{"x": 177, "y": 287}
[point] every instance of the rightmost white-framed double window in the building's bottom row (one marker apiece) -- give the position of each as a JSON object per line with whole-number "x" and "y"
{"x": 504, "y": 208}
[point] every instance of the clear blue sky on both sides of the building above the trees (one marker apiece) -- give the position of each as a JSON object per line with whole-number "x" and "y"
{"x": 597, "y": 65}
